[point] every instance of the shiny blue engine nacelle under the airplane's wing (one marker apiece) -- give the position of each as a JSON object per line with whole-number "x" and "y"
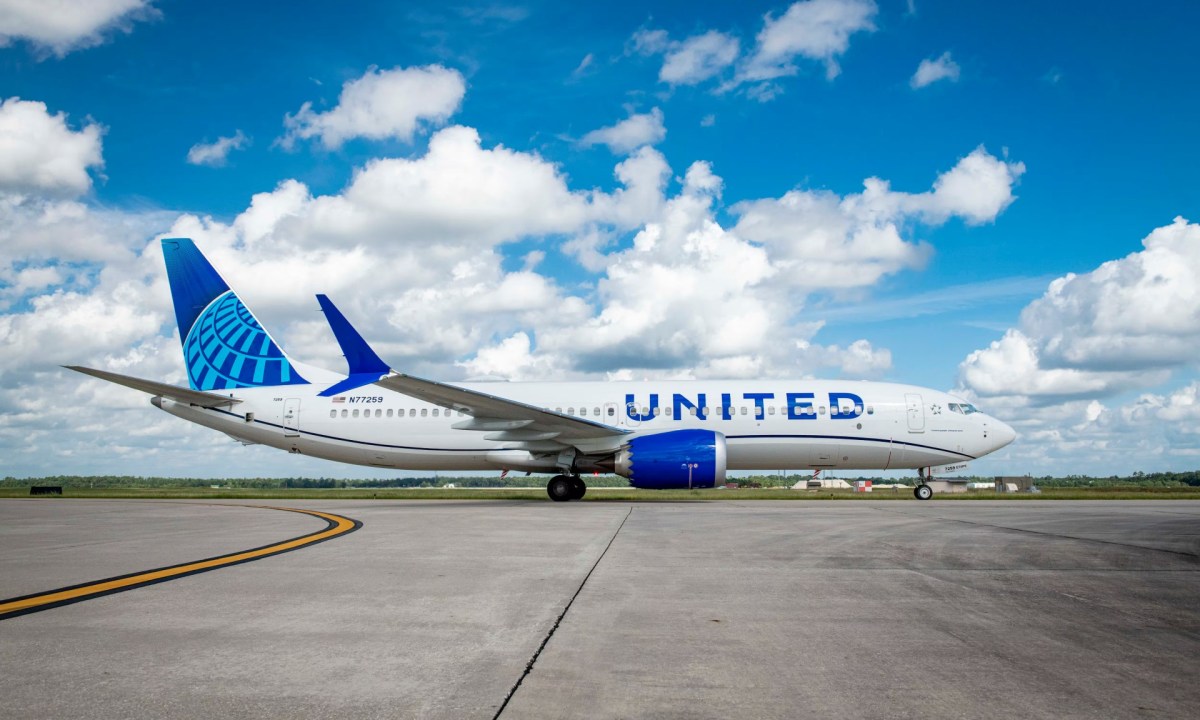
{"x": 676, "y": 459}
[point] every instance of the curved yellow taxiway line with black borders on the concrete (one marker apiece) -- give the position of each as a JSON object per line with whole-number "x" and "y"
{"x": 40, "y": 602}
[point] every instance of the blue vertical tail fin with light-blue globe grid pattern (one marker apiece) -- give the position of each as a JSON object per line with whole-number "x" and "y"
{"x": 224, "y": 345}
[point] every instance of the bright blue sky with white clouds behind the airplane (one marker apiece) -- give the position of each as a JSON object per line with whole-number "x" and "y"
{"x": 490, "y": 167}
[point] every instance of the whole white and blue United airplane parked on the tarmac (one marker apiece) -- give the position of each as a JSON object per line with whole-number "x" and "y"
{"x": 656, "y": 434}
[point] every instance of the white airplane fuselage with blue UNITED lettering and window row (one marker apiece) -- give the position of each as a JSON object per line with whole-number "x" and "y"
{"x": 767, "y": 424}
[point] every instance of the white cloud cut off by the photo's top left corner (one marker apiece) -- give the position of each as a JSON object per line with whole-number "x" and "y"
{"x": 65, "y": 26}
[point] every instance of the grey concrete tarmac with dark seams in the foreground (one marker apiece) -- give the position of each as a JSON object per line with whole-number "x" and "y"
{"x": 675, "y": 610}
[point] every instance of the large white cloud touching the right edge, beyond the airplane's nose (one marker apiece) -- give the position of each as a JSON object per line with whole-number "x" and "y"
{"x": 1126, "y": 325}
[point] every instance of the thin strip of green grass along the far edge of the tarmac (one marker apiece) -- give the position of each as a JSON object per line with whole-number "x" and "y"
{"x": 602, "y": 495}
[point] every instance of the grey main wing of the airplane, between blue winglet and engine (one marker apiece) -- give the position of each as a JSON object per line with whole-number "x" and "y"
{"x": 509, "y": 419}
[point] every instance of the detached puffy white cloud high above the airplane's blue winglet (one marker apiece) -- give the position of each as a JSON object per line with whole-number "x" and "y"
{"x": 382, "y": 104}
